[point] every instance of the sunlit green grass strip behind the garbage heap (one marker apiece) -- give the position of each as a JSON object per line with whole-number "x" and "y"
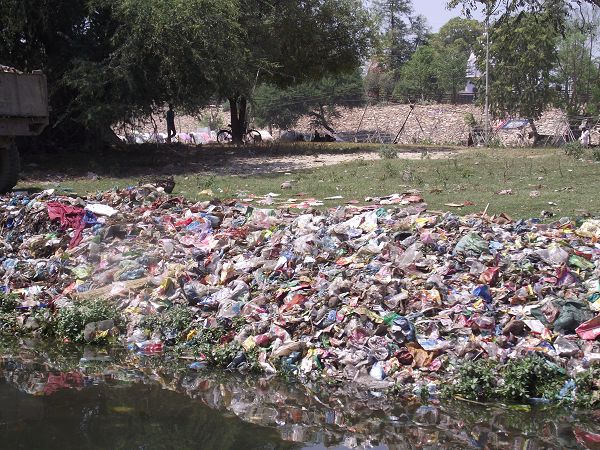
{"x": 540, "y": 179}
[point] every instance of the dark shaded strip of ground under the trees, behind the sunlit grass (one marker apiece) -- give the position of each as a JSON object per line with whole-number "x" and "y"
{"x": 140, "y": 160}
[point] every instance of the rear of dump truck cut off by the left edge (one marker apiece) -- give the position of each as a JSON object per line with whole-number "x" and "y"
{"x": 23, "y": 112}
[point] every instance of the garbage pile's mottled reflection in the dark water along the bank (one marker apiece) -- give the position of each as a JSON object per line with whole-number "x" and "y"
{"x": 335, "y": 416}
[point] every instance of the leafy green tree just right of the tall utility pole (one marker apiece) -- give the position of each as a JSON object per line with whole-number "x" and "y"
{"x": 523, "y": 55}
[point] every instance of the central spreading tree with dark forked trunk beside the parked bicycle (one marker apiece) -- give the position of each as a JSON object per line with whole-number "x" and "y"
{"x": 287, "y": 43}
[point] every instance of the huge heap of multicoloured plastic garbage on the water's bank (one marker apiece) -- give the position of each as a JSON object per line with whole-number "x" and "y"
{"x": 377, "y": 296}
